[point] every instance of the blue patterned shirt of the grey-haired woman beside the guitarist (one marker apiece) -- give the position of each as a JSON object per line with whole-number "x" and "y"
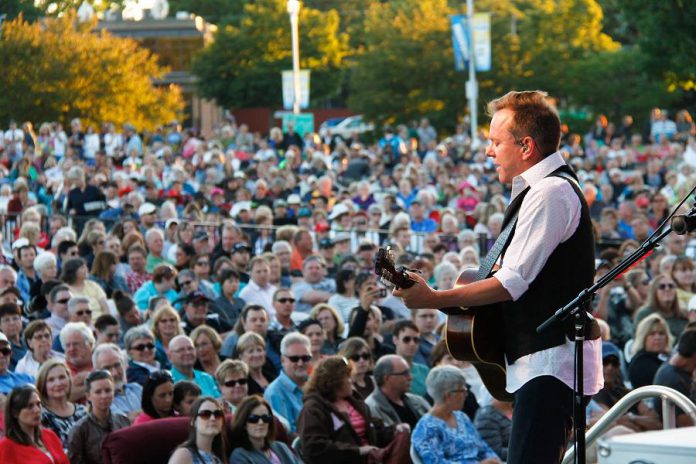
{"x": 438, "y": 443}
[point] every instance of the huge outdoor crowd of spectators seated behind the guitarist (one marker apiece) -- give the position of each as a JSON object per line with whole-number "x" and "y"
{"x": 230, "y": 279}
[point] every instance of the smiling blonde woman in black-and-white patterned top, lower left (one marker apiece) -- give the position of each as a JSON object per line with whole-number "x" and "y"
{"x": 59, "y": 414}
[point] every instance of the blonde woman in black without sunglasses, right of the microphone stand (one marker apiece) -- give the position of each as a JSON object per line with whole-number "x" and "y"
{"x": 650, "y": 349}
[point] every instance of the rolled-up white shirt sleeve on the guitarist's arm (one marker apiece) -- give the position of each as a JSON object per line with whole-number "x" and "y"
{"x": 549, "y": 215}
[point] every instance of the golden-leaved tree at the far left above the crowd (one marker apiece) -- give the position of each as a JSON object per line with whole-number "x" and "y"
{"x": 60, "y": 69}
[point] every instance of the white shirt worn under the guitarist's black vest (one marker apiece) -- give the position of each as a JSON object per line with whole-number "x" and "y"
{"x": 548, "y": 216}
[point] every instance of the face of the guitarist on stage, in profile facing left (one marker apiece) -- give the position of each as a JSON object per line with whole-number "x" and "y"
{"x": 506, "y": 153}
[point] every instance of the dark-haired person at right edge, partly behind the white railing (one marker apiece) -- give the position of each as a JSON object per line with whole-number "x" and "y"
{"x": 678, "y": 373}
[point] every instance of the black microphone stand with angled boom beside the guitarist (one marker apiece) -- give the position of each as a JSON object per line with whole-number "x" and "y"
{"x": 579, "y": 308}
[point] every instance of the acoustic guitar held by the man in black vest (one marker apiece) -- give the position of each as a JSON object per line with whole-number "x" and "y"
{"x": 471, "y": 334}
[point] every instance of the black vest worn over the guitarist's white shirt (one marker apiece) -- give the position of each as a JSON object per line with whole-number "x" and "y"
{"x": 569, "y": 270}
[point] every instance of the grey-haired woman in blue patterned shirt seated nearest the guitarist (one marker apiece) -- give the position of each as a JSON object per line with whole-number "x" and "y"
{"x": 445, "y": 433}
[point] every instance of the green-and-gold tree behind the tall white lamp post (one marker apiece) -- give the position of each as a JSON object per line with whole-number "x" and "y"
{"x": 242, "y": 67}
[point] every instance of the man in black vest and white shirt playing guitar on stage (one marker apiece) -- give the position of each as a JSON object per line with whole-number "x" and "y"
{"x": 549, "y": 260}
